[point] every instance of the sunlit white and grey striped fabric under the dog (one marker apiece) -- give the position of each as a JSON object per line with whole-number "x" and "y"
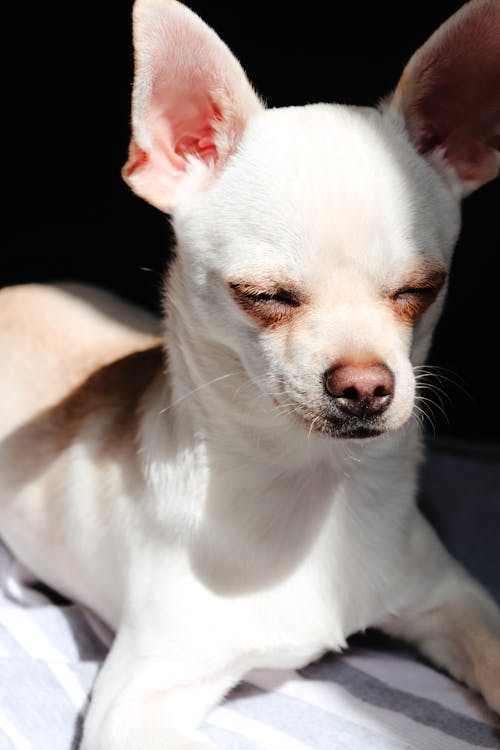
{"x": 373, "y": 697}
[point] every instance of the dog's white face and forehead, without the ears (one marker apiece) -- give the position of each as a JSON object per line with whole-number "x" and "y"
{"x": 318, "y": 260}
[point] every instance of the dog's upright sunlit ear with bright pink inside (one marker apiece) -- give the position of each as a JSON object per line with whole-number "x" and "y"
{"x": 190, "y": 103}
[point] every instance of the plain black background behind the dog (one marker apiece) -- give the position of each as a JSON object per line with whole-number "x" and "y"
{"x": 67, "y": 86}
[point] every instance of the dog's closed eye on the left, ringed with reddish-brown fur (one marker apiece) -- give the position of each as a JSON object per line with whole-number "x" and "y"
{"x": 269, "y": 305}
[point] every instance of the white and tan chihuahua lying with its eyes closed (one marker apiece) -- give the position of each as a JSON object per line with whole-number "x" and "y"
{"x": 236, "y": 488}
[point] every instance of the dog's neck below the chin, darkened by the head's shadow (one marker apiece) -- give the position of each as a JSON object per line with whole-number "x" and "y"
{"x": 252, "y": 502}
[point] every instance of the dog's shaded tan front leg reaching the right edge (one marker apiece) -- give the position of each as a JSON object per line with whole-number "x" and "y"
{"x": 448, "y": 615}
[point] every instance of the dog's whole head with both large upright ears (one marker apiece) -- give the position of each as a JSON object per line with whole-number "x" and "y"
{"x": 314, "y": 242}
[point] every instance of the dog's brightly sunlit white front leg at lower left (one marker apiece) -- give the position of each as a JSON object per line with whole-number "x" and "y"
{"x": 148, "y": 701}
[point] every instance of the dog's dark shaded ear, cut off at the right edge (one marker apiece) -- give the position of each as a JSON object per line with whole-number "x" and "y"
{"x": 449, "y": 96}
